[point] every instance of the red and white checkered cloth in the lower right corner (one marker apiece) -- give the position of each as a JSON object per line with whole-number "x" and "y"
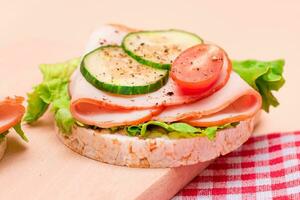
{"x": 265, "y": 167}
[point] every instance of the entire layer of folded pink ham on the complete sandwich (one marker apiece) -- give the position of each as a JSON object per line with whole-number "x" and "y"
{"x": 235, "y": 101}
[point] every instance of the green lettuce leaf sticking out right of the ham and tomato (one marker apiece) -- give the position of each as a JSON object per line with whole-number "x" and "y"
{"x": 263, "y": 76}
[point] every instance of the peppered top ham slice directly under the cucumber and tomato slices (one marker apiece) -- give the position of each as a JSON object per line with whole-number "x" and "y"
{"x": 170, "y": 94}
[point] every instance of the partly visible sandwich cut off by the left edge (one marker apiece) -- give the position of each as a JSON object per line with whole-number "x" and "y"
{"x": 11, "y": 113}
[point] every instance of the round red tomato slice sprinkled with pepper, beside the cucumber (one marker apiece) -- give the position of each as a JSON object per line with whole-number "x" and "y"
{"x": 198, "y": 67}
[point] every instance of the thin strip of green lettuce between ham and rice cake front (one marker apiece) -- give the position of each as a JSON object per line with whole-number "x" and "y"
{"x": 174, "y": 130}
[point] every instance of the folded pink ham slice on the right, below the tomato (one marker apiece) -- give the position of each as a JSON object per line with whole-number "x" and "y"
{"x": 236, "y": 101}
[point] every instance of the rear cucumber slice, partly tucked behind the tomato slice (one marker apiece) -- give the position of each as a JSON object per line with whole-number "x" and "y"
{"x": 158, "y": 49}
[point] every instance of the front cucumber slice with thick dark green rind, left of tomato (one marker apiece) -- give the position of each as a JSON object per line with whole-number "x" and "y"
{"x": 110, "y": 69}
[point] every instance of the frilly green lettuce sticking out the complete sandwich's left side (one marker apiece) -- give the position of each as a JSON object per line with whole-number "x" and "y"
{"x": 53, "y": 90}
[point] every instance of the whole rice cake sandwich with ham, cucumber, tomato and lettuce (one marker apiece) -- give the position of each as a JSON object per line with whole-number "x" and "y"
{"x": 154, "y": 99}
